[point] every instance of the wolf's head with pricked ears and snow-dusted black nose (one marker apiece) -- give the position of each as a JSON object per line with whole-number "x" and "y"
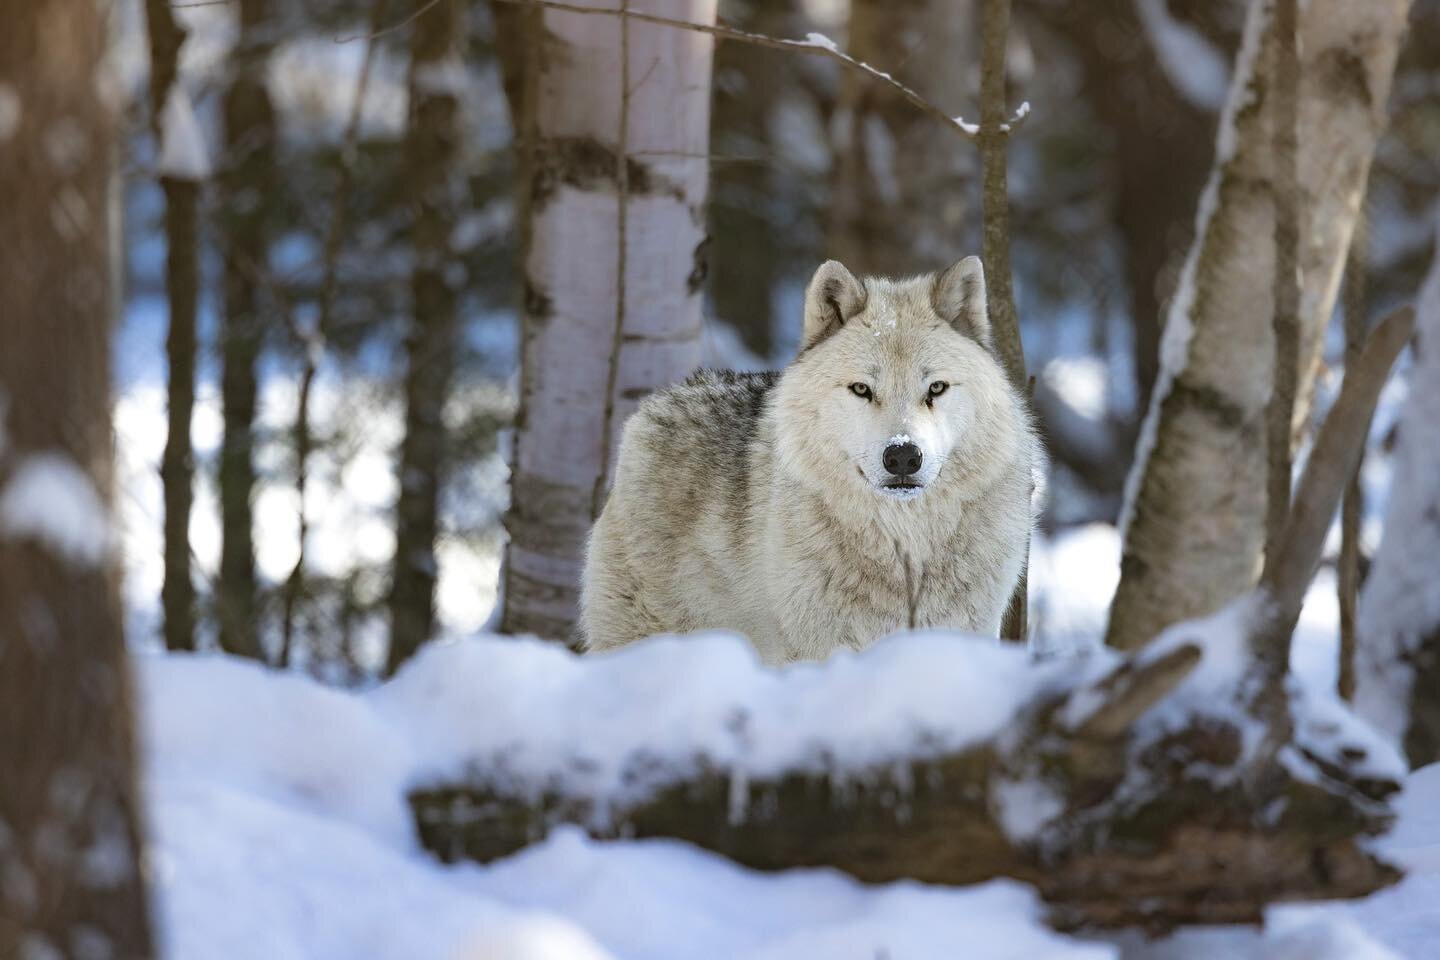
{"x": 896, "y": 391}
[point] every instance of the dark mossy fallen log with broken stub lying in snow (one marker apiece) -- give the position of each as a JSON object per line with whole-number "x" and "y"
{"x": 1115, "y": 828}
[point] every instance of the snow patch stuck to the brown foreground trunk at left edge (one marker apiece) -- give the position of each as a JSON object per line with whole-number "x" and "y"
{"x": 50, "y": 500}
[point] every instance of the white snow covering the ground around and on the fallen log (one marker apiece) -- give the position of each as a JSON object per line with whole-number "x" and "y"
{"x": 280, "y": 830}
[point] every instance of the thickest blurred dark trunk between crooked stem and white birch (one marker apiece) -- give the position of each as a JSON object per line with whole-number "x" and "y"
{"x": 437, "y": 192}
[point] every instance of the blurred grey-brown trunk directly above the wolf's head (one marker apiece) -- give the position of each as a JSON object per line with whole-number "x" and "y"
{"x": 899, "y": 202}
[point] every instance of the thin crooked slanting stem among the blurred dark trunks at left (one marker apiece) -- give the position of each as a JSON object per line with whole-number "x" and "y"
{"x": 315, "y": 343}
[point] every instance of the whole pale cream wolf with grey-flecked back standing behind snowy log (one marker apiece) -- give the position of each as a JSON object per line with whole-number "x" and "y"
{"x": 885, "y": 480}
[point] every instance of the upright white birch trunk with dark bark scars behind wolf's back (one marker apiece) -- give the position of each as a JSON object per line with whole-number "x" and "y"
{"x": 616, "y": 137}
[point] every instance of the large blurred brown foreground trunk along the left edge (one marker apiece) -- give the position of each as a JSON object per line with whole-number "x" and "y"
{"x": 68, "y": 805}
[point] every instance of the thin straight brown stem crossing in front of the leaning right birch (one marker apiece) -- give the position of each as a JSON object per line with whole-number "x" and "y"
{"x": 1287, "y": 320}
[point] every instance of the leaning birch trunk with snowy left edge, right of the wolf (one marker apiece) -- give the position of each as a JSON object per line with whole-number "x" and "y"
{"x": 1196, "y": 504}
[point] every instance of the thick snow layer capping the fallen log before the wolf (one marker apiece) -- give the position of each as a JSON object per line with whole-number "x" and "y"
{"x": 558, "y": 722}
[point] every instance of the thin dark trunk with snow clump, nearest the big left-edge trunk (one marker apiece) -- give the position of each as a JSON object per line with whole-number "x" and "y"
{"x": 182, "y": 294}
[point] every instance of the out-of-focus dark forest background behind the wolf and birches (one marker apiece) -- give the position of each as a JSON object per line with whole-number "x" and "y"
{"x": 336, "y": 198}
